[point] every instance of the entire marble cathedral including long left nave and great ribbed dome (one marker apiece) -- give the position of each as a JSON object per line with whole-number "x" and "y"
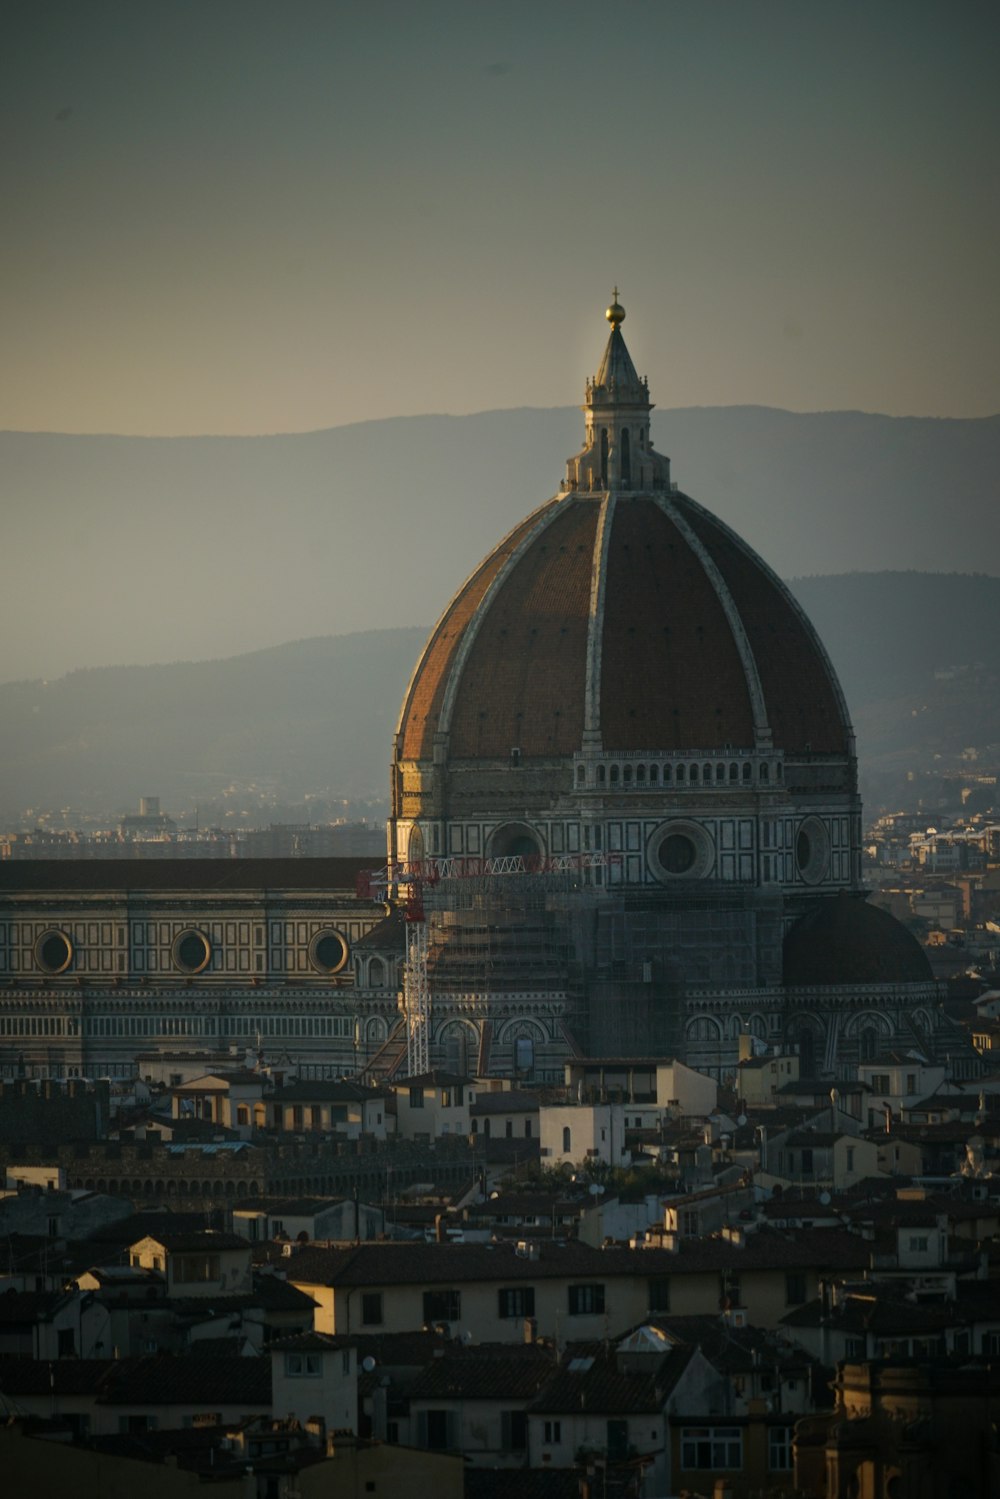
{"x": 624, "y": 822}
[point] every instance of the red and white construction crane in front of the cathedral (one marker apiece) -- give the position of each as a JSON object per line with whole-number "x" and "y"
{"x": 407, "y": 882}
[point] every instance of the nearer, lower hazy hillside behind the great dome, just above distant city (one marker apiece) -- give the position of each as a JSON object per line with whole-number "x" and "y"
{"x": 320, "y": 714}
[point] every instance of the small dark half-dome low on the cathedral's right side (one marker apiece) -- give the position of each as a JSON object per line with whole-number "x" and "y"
{"x": 846, "y": 941}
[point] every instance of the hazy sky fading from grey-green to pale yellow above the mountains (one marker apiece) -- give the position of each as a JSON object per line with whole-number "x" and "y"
{"x": 248, "y": 217}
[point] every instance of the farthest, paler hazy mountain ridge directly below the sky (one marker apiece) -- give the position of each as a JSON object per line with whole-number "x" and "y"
{"x": 134, "y": 551}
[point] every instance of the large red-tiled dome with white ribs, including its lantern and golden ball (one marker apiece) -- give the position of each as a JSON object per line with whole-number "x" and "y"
{"x": 621, "y": 615}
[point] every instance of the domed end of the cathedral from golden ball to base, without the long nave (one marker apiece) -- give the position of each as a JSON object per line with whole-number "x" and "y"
{"x": 626, "y": 684}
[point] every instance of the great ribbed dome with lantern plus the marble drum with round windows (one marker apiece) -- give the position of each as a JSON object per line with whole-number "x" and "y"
{"x": 623, "y": 675}
